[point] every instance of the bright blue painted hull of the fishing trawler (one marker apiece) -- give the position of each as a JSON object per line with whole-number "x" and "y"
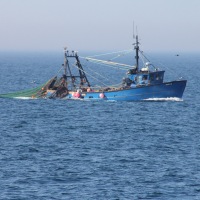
{"x": 163, "y": 90}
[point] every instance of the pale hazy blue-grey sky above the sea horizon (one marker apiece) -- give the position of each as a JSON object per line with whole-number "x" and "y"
{"x": 40, "y": 25}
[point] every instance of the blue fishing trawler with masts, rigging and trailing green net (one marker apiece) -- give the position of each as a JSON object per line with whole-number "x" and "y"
{"x": 140, "y": 82}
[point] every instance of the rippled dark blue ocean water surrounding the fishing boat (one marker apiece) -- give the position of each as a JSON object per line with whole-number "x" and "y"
{"x": 62, "y": 149}
